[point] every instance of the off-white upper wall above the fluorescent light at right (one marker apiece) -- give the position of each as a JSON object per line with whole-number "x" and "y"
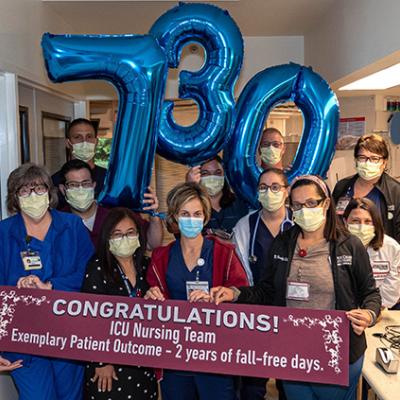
{"x": 352, "y": 35}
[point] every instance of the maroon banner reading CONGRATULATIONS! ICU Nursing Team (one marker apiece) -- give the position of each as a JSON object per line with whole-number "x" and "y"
{"x": 235, "y": 339}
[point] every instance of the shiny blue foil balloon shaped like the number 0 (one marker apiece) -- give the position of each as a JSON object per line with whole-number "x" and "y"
{"x": 270, "y": 87}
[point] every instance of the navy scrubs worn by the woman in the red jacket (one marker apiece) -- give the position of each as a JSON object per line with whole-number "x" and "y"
{"x": 183, "y": 385}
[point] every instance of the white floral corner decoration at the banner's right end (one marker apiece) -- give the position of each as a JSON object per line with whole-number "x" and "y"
{"x": 331, "y": 336}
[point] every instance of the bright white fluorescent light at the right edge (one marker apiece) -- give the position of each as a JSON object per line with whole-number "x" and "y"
{"x": 380, "y": 80}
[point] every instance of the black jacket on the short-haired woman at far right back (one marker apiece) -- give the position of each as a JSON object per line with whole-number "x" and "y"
{"x": 390, "y": 190}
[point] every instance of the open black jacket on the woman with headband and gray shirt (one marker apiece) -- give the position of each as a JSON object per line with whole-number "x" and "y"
{"x": 352, "y": 277}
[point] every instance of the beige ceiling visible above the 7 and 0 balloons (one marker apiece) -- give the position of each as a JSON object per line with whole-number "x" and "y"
{"x": 254, "y": 17}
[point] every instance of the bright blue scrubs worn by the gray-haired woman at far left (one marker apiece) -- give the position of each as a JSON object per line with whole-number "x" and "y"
{"x": 64, "y": 254}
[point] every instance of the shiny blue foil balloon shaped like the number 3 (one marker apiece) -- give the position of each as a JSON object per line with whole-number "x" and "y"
{"x": 211, "y": 87}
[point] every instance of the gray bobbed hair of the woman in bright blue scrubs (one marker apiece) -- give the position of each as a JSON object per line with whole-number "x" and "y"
{"x": 26, "y": 174}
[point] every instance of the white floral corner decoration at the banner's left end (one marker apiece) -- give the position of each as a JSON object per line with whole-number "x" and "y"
{"x": 8, "y": 302}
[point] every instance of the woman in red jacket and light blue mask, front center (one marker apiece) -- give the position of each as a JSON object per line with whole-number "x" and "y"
{"x": 185, "y": 270}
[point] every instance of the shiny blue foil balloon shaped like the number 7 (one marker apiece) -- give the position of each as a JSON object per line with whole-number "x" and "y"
{"x": 137, "y": 67}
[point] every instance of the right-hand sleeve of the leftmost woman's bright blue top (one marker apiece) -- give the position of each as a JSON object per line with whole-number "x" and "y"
{"x": 79, "y": 239}
